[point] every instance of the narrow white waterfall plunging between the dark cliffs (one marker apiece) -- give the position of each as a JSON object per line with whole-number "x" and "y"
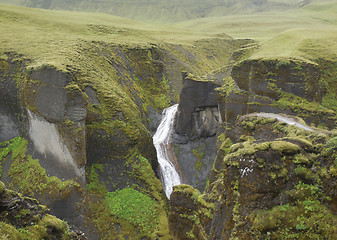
{"x": 161, "y": 141}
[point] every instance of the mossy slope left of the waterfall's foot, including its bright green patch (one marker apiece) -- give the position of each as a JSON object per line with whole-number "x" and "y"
{"x": 135, "y": 208}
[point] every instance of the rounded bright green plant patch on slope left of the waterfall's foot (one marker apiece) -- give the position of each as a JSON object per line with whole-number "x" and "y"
{"x": 135, "y": 208}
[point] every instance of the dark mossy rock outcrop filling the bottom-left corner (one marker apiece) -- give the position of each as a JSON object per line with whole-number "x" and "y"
{"x": 24, "y": 218}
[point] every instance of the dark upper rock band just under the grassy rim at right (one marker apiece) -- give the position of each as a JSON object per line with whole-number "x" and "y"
{"x": 266, "y": 77}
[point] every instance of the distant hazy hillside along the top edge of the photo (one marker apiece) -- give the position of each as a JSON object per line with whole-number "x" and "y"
{"x": 163, "y": 10}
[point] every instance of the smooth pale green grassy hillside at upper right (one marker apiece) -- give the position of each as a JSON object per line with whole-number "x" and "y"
{"x": 263, "y": 26}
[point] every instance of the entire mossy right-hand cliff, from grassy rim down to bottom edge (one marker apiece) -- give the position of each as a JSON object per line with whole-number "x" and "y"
{"x": 269, "y": 179}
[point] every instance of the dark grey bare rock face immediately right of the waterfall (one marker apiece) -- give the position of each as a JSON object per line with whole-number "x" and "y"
{"x": 197, "y": 123}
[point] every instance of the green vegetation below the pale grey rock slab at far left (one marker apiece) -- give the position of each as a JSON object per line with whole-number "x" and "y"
{"x": 27, "y": 175}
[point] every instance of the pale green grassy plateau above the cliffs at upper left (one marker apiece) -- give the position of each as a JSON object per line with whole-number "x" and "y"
{"x": 55, "y": 37}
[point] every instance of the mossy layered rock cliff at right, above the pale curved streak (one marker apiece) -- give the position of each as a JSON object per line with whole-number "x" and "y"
{"x": 289, "y": 86}
